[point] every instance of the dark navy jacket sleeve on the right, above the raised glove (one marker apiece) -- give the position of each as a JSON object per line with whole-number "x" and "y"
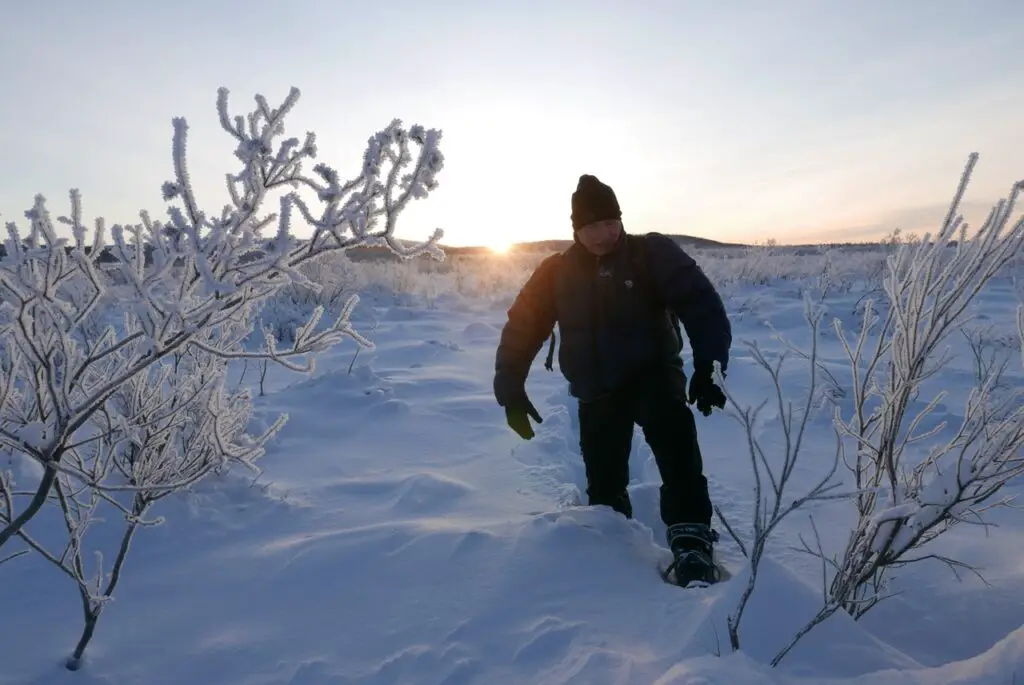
{"x": 687, "y": 289}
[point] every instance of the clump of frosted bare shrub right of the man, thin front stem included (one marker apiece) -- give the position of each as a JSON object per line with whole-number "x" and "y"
{"x": 913, "y": 478}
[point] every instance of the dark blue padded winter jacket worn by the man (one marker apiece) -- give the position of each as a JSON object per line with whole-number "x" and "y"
{"x": 614, "y": 324}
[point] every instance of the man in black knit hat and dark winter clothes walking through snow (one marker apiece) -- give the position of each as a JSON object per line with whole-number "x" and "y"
{"x": 616, "y": 298}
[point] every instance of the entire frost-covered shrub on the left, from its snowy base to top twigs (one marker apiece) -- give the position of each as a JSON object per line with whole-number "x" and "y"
{"x": 113, "y": 356}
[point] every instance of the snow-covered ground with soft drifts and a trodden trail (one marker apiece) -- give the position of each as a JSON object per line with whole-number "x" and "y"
{"x": 403, "y": 534}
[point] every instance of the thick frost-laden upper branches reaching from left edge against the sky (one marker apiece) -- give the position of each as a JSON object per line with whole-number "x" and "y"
{"x": 191, "y": 284}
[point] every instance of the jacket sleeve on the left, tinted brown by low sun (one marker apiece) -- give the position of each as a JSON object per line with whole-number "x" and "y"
{"x": 531, "y": 320}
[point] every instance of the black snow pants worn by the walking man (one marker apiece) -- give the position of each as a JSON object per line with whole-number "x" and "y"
{"x": 658, "y": 405}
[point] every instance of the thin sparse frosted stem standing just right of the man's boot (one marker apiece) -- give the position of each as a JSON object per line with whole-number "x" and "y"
{"x": 772, "y": 477}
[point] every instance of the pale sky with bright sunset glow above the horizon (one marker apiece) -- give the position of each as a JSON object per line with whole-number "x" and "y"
{"x": 794, "y": 121}
